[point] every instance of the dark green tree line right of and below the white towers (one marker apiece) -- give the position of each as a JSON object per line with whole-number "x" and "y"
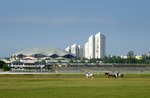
{"x": 130, "y": 59}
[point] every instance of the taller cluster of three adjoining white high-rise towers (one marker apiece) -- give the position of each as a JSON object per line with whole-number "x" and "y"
{"x": 96, "y": 46}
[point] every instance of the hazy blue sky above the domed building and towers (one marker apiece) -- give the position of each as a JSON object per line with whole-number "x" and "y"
{"x": 61, "y": 23}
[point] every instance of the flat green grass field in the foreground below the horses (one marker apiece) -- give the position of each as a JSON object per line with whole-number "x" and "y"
{"x": 73, "y": 86}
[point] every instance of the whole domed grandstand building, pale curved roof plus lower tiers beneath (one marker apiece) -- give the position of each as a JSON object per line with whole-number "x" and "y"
{"x": 39, "y": 58}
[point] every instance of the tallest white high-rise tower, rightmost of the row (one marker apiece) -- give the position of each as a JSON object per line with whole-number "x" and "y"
{"x": 100, "y": 48}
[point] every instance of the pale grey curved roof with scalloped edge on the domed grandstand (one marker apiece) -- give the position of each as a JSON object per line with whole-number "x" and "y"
{"x": 43, "y": 51}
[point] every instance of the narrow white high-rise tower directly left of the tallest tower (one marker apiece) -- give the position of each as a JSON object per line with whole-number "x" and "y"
{"x": 91, "y": 43}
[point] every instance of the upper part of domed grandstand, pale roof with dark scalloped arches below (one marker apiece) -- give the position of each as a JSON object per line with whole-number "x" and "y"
{"x": 40, "y": 53}
